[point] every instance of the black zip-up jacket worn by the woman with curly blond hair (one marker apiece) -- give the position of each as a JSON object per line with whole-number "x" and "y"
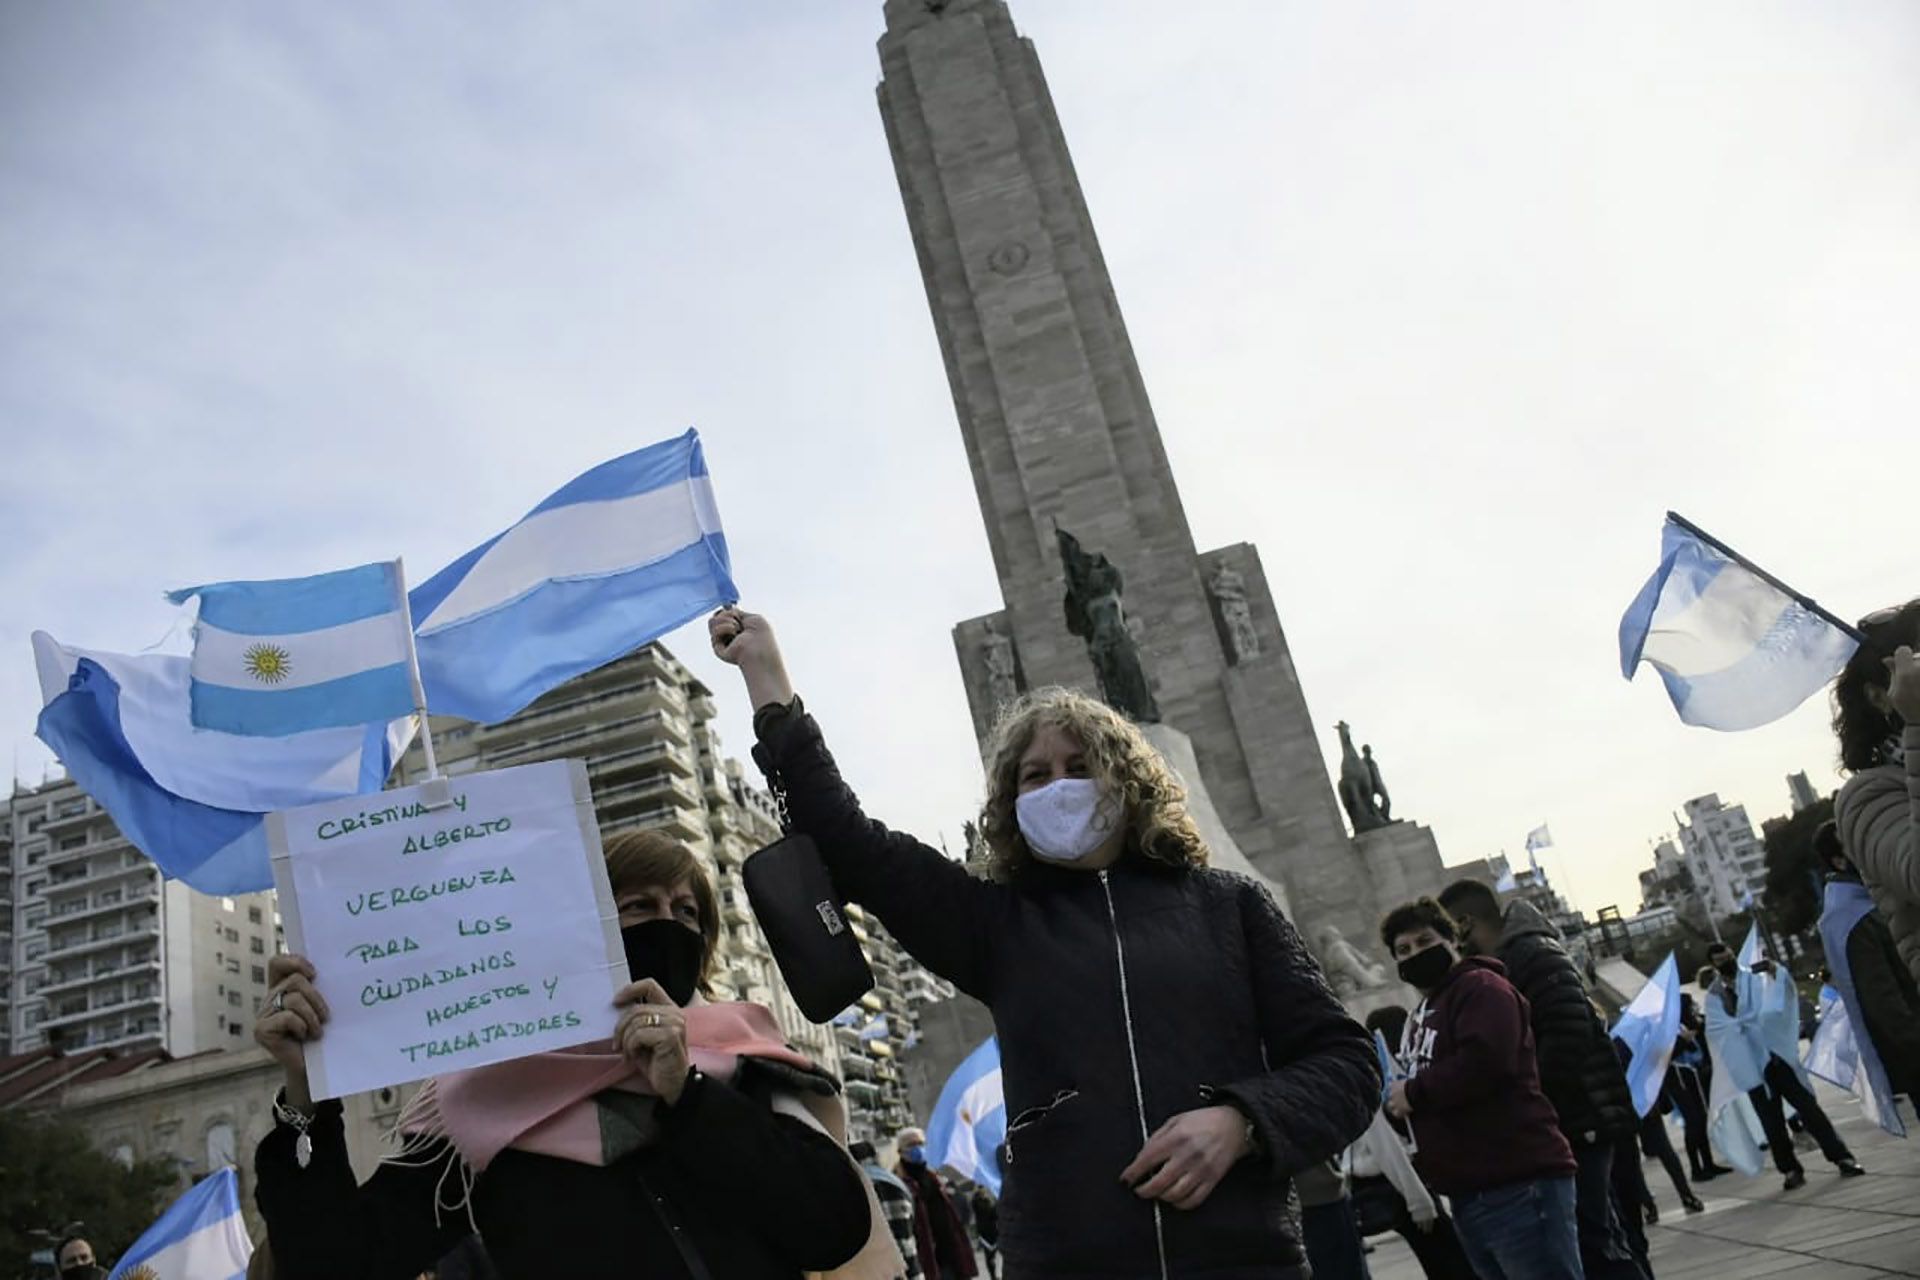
{"x": 1122, "y": 999}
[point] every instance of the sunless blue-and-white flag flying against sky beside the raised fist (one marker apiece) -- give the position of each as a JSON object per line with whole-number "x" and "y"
{"x": 612, "y": 561}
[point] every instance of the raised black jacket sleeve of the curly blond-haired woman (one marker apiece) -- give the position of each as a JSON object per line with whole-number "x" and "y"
{"x": 930, "y": 903}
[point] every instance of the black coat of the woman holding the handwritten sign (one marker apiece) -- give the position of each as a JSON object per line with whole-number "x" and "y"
{"x": 754, "y": 1195}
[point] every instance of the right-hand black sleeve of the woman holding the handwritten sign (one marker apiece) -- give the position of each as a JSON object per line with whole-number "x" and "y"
{"x": 794, "y": 1187}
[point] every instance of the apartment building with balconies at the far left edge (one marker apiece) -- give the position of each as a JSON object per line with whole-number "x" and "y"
{"x": 103, "y": 953}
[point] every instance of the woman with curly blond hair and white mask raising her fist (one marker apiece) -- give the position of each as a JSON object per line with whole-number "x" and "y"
{"x": 1170, "y": 1051}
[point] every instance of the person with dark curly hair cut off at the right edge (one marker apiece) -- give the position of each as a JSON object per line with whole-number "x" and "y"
{"x": 1877, "y": 717}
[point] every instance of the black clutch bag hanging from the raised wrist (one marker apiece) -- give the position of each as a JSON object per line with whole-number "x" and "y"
{"x": 805, "y": 928}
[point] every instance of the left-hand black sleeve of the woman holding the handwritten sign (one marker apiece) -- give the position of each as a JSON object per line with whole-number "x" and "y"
{"x": 324, "y": 1225}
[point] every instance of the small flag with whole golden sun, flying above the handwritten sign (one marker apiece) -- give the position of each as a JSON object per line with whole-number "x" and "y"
{"x": 285, "y": 657}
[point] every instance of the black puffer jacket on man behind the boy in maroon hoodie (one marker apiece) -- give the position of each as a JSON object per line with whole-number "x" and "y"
{"x": 1579, "y": 1072}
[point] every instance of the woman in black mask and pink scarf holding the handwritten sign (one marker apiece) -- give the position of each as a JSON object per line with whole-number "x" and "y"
{"x": 694, "y": 1145}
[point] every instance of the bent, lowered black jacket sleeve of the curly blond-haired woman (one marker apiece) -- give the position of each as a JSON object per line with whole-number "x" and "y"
{"x": 1324, "y": 1079}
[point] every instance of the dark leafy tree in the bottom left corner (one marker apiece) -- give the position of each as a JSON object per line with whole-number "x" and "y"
{"x": 51, "y": 1175}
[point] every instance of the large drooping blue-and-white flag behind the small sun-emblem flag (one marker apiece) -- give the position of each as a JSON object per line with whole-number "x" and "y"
{"x": 191, "y": 799}
